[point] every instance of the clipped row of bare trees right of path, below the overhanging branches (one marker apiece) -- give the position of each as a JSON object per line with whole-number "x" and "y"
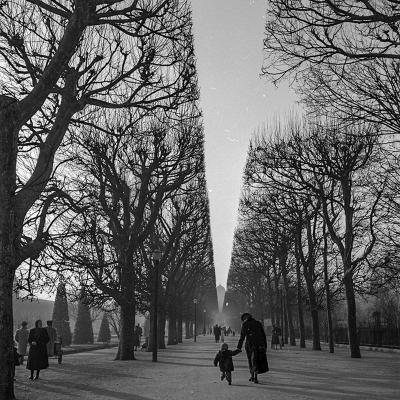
{"x": 318, "y": 222}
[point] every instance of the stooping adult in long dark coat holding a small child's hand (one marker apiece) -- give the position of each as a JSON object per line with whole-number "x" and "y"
{"x": 256, "y": 346}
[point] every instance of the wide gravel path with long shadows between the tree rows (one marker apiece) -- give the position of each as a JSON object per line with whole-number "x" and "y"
{"x": 185, "y": 372}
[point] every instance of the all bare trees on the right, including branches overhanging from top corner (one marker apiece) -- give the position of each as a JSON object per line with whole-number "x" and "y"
{"x": 320, "y": 200}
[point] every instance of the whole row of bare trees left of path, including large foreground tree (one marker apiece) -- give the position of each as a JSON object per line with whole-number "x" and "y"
{"x": 101, "y": 158}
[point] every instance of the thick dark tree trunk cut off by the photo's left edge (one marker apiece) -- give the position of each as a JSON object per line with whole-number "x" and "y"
{"x": 8, "y": 159}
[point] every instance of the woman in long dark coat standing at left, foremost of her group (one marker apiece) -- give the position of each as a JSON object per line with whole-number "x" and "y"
{"x": 37, "y": 357}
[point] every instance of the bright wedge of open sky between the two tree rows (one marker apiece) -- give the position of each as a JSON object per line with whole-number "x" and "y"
{"x": 235, "y": 101}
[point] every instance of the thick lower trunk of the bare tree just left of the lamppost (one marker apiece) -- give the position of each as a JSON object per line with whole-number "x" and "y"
{"x": 126, "y": 341}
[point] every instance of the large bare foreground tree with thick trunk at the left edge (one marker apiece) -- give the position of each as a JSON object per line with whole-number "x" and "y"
{"x": 62, "y": 59}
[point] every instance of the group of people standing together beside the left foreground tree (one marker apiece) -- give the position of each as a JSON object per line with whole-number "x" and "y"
{"x": 41, "y": 346}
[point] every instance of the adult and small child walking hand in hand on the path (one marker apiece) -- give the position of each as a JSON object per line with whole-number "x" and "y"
{"x": 256, "y": 347}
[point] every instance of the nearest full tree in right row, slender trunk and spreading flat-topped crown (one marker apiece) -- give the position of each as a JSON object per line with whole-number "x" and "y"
{"x": 339, "y": 167}
